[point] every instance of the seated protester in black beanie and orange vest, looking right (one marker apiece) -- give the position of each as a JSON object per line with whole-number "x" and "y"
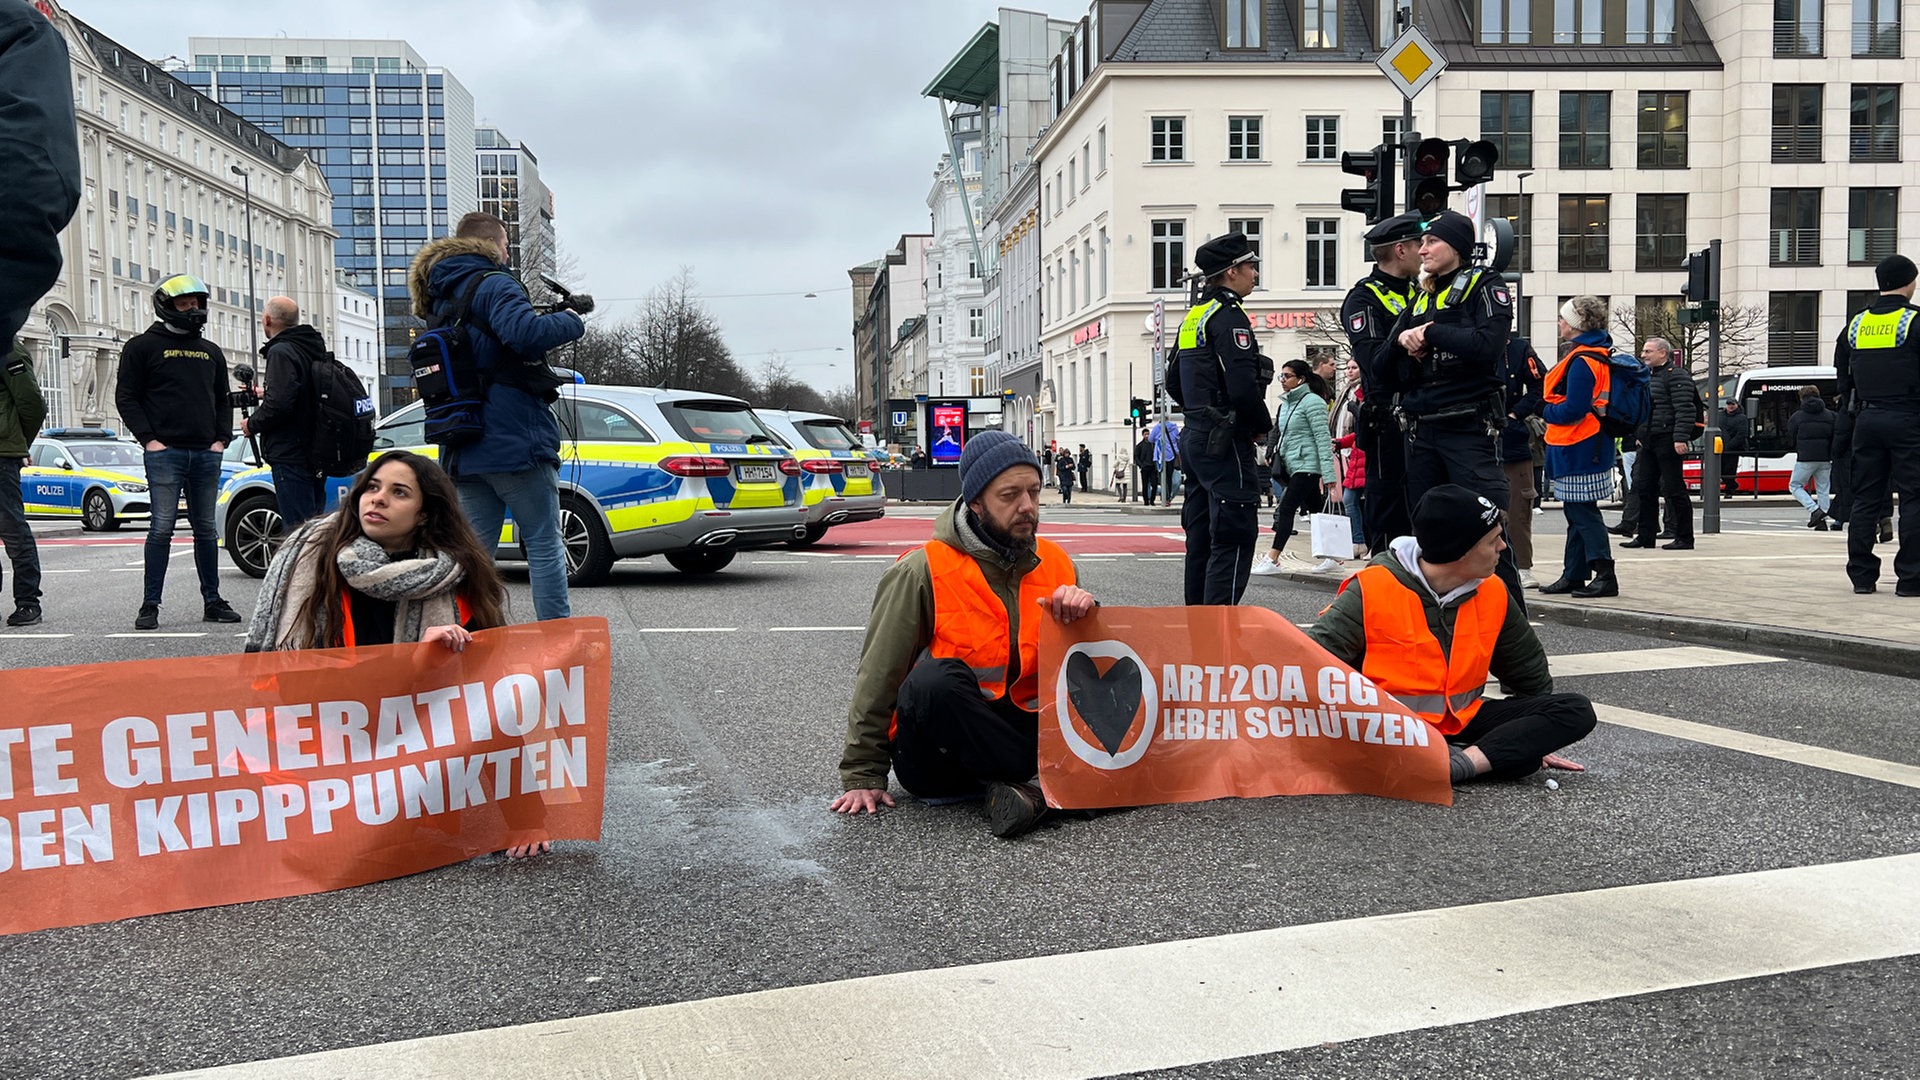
{"x": 1439, "y": 624}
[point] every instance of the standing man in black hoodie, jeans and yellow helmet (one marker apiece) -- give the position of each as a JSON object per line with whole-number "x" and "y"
{"x": 172, "y": 391}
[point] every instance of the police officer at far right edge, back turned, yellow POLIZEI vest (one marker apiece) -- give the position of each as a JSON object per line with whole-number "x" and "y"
{"x": 1879, "y": 368}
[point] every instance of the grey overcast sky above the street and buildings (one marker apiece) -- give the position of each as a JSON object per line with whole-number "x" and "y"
{"x": 771, "y": 145}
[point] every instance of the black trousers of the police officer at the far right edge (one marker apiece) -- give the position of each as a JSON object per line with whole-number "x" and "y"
{"x": 1886, "y": 458}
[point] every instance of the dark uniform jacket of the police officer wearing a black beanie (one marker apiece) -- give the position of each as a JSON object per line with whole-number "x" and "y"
{"x": 1468, "y": 320}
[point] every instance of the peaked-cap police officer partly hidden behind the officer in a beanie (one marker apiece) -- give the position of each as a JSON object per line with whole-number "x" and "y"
{"x": 1370, "y": 314}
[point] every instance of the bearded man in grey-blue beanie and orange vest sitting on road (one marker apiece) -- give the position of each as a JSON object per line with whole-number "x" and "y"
{"x": 948, "y": 691}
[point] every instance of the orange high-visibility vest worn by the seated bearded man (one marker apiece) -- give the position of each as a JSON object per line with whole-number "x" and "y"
{"x": 971, "y": 624}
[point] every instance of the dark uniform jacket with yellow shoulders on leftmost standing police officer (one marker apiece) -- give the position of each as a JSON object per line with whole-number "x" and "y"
{"x": 1222, "y": 366}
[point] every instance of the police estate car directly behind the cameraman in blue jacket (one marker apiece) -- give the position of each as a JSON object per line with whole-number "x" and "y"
{"x": 679, "y": 474}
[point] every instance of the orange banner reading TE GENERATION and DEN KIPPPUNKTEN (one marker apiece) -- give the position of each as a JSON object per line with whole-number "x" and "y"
{"x": 143, "y": 787}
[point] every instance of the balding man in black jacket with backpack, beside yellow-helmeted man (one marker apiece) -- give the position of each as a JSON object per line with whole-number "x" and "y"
{"x": 285, "y": 416}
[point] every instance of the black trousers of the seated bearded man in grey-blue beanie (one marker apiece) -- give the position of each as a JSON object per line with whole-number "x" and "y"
{"x": 951, "y": 741}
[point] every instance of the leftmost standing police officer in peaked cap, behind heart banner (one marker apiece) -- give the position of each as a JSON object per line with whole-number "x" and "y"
{"x": 1220, "y": 380}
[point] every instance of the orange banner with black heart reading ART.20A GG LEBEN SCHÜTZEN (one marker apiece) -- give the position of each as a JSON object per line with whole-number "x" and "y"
{"x": 1186, "y": 704}
